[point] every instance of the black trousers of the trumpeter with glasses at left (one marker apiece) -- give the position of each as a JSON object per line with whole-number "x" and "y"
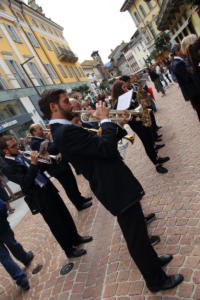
{"x": 58, "y": 218}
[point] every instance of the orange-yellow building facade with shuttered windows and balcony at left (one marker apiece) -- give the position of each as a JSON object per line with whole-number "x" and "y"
{"x": 34, "y": 56}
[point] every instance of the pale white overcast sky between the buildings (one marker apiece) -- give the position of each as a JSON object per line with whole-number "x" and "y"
{"x": 91, "y": 24}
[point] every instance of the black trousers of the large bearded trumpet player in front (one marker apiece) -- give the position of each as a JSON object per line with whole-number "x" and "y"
{"x": 135, "y": 233}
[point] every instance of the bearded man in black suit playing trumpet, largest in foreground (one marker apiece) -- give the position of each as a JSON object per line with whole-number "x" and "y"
{"x": 98, "y": 159}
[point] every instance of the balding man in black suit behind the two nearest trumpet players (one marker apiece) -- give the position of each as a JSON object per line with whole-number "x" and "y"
{"x": 62, "y": 172}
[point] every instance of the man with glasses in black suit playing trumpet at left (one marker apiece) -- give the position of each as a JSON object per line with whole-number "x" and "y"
{"x": 41, "y": 196}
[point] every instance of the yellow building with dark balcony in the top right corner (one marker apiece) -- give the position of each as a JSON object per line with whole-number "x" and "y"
{"x": 180, "y": 19}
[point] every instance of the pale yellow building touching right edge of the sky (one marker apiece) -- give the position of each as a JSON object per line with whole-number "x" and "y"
{"x": 144, "y": 15}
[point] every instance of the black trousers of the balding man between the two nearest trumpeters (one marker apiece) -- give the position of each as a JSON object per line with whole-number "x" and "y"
{"x": 67, "y": 179}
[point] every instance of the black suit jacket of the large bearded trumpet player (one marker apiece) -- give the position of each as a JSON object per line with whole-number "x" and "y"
{"x": 98, "y": 159}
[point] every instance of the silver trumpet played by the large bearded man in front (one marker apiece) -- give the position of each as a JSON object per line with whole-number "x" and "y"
{"x": 86, "y": 115}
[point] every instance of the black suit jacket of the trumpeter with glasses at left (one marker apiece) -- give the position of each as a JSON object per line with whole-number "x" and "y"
{"x": 35, "y": 196}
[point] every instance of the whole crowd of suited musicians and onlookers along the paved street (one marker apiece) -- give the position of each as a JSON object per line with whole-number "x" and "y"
{"x": 92, "y": 149}
